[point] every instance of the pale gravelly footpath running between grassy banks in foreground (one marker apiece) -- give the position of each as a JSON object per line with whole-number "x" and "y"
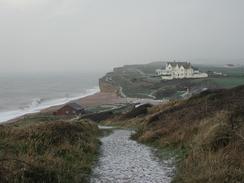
{"x": 123, "y": 160}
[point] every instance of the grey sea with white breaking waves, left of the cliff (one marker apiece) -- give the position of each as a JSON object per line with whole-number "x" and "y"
{"x": 22, "y": 94}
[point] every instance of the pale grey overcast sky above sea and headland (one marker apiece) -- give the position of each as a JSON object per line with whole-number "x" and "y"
{"x": 58, "y": 35}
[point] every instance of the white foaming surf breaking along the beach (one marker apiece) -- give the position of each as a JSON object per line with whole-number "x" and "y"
{"x": 39, "y": 104}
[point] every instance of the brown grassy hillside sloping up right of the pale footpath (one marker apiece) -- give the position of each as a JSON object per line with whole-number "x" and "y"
{"x": 205, "y": 133}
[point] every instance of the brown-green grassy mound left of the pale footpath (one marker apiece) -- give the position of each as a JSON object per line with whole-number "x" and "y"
{"x": 44, "y": 148}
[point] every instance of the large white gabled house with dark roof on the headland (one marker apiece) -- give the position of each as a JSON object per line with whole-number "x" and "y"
{"x": 179, "y": 70}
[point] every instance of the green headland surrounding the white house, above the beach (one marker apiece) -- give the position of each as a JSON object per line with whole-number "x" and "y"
{"x": 139, "y": 81}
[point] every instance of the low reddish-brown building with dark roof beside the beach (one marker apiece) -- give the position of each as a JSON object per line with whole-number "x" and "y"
{"x": 70, "y": 109}
